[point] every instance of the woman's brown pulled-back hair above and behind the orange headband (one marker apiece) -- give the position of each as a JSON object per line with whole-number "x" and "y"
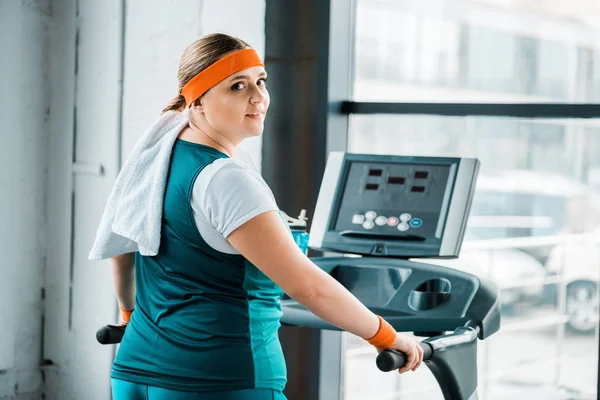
{"x": 200, "y": 55}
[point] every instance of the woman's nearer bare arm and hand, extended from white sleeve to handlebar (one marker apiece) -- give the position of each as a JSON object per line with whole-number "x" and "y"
{"x": 266, "y": 243}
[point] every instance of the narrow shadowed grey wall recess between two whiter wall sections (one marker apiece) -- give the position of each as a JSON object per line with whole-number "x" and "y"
{"x": 58, "y": 349}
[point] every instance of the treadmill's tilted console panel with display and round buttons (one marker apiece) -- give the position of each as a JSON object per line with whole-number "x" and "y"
{"x": 394, "y": 206}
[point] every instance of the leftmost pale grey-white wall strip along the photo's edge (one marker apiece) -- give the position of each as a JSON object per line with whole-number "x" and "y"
{"x": 23, "y": 161}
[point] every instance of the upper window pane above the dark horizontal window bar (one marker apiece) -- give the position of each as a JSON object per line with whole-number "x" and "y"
{"x": 453, "y": 50}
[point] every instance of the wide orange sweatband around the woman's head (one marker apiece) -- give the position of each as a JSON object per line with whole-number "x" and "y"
{"x": 215, "y": 73}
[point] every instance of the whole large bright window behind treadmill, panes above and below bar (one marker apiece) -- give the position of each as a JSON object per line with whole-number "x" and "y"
{"x": 535, "y": 222}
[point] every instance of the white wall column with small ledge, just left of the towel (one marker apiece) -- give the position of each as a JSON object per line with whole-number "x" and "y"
{"x": 84, "y": 363}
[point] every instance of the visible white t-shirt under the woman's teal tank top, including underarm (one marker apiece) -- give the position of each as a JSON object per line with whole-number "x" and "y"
{"x": 227, "y": 193}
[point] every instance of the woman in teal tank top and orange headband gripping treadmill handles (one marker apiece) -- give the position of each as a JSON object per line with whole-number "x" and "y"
{"x": 207, "y": 306}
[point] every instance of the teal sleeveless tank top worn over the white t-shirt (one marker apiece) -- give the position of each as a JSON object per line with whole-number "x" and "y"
{"x": 203, "y": 320}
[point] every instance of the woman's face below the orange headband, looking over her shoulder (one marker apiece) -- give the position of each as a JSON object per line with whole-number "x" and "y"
{"x": 236, "y": 107}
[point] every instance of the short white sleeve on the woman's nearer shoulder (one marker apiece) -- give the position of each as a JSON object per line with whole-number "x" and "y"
{"x": 233, "y": 195}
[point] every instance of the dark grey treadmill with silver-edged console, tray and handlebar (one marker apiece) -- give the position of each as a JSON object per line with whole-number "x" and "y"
{"x": 380, "y": 213}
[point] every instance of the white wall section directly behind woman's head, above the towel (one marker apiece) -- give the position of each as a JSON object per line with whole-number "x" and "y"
{"x": 155, "y": 39}
